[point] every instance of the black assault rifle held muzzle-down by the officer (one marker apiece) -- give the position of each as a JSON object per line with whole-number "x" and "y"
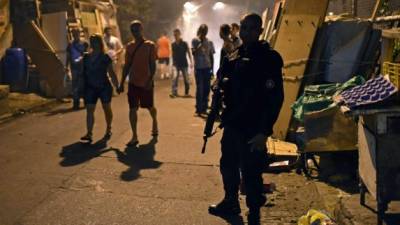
{"x": 216, "y": 104}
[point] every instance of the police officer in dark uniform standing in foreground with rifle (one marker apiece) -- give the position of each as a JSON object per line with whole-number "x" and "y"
{"x": 253, "y": 95}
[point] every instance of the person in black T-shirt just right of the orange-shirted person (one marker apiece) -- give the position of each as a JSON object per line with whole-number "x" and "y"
{"x": 180, "y": 52}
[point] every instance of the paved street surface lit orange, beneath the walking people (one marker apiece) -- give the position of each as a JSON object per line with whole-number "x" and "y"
{"x": 48, "y": 177}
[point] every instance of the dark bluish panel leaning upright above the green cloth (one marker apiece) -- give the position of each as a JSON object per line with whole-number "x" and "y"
{"x": 343, "y": 48}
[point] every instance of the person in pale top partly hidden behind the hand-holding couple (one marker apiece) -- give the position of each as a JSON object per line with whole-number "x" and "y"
{"x": 114, "y": 47}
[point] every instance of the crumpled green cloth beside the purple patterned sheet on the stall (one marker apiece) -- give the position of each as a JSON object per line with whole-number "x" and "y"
{"x": 318, "y": 98}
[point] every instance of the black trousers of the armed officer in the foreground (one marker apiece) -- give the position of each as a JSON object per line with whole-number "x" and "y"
{"x": 236, "y": 157}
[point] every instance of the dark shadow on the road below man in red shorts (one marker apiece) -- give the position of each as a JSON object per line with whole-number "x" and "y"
{"x": 137, "y": 159}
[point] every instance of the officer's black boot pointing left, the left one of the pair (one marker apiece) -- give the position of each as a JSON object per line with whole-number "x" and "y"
{"x": 228, "y": 206}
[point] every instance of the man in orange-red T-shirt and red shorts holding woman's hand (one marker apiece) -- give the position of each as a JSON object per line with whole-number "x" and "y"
{"x": 140, "y": 65}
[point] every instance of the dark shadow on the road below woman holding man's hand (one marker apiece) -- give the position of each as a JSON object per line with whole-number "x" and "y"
{"x": 78, "y": 153}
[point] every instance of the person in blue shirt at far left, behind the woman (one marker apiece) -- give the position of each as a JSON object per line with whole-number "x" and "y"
{"x": 75, "y": 51}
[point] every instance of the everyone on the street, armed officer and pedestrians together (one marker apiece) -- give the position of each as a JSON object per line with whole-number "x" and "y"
{"x": 249, "y": 74}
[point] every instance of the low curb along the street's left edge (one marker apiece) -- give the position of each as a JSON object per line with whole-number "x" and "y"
{"x": 34, "y": 108}
